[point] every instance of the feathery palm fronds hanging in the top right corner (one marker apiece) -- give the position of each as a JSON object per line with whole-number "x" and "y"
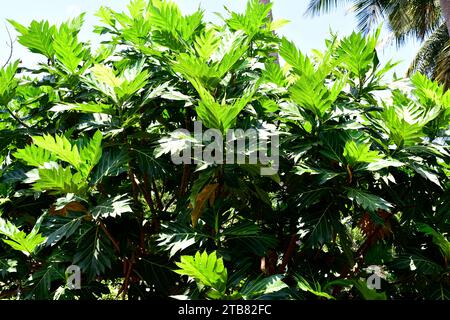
{"x": 426, "y": 20}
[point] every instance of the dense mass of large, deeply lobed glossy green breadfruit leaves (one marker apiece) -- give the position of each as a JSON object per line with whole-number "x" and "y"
{"x": 87, "y": 178}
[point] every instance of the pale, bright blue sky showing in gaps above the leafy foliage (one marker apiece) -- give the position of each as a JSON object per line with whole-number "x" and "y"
{"x": 308, "y": 33}
